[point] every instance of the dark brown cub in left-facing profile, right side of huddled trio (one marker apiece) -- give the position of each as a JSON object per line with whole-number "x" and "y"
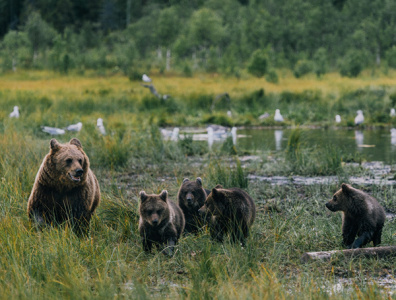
{"x": 232, "y": 211}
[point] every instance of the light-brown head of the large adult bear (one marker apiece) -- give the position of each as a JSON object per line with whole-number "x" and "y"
{"x": 69, "y": 163}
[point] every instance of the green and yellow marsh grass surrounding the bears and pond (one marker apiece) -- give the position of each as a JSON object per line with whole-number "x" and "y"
{"x": 110, "y": 262}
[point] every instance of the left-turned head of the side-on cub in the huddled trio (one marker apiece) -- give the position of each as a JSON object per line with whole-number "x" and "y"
{"x": 216, "y": 203}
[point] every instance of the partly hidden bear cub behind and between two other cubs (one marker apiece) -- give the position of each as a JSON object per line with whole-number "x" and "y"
{"x": 191, "y": 198}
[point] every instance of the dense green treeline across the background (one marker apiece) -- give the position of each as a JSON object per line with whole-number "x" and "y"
{"x": 208, "y": 35}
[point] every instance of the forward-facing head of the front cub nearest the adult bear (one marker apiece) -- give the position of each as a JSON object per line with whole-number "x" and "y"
{"x": 154, "y": 209}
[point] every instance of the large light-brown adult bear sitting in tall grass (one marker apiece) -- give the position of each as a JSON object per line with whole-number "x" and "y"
{"x": 65, "y": 188}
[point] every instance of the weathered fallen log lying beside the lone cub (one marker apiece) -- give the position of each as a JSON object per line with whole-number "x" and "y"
{"x": 365, "y": 252}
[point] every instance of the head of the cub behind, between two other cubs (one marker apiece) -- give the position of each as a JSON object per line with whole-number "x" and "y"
{"x": 191, "y": 194}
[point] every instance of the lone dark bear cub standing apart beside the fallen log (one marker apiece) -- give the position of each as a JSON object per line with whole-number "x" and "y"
{"x": 362, "y": 216}
